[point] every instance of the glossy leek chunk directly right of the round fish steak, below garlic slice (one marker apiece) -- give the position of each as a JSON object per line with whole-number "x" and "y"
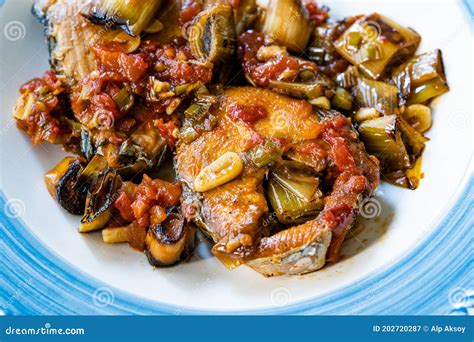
{"x": 382, "y": 138}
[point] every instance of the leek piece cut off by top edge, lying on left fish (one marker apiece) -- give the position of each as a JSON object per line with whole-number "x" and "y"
{"x": 131, "y": 16}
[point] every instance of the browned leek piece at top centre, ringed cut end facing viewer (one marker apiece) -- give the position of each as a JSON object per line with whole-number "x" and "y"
{"x": 212, "y": 35}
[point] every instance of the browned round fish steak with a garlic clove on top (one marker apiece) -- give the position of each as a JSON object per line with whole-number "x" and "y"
{"x": 235, "y": 215}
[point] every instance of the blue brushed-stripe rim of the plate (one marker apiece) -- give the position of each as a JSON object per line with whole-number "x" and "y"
{"x": 434, "y": 275}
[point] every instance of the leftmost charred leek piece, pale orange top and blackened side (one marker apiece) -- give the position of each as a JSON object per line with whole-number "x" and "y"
{"x": 62, "y": 184}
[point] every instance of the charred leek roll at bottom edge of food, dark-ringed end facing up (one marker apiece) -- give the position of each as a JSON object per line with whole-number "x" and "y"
{"x": 170, "y": 241}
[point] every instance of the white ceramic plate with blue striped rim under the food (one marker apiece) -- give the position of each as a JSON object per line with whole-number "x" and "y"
{"x": 58, "y": 270}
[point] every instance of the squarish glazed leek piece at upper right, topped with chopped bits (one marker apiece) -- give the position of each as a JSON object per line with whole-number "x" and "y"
{"x": 374, "y": 41}
